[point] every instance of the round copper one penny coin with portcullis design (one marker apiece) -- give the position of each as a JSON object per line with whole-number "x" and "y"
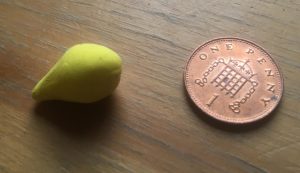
{"x": 233, "y": 80}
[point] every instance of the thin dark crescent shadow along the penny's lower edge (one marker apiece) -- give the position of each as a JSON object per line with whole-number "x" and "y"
{"x": 234, "y": 128}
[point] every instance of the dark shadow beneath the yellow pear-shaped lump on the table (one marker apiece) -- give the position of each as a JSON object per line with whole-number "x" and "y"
{"x": 78, "y": 120}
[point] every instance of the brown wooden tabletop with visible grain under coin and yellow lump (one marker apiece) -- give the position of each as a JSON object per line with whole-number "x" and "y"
{"x": 148, "y": 125}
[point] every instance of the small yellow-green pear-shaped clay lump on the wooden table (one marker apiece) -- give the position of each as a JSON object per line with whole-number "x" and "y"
{"x": 86, "y": 73}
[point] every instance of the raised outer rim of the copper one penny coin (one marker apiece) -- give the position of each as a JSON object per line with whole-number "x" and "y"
{"x": 223, "y": 118}
